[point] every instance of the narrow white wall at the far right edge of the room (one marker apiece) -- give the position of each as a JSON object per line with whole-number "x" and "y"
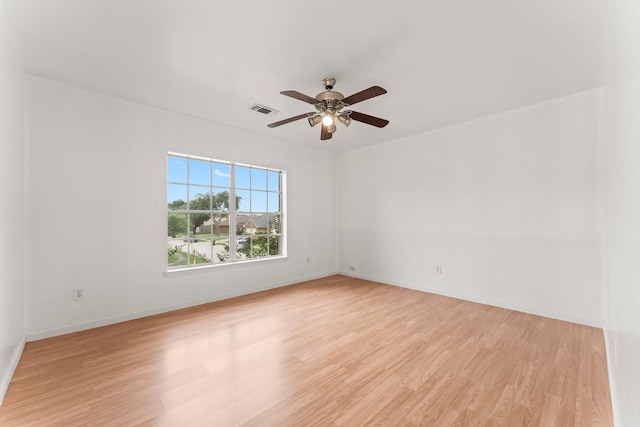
{"x": 622, "y": 208}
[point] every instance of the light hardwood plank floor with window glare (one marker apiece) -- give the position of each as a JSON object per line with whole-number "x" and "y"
{"x": 335, "y": 351}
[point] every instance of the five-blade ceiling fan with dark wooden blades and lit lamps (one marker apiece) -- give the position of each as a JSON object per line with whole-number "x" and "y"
{"x": 329, "y": 108}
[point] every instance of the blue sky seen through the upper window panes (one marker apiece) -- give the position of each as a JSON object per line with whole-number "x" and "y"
{"x": 258, "y": 188}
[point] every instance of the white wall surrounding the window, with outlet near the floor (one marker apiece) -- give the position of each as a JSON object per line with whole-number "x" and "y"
{"x": 96, "y": 209}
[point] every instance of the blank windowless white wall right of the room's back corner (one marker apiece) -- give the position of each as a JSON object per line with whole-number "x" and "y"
{"x": 506, "y": 204}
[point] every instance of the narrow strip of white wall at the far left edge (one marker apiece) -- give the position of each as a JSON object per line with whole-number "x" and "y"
{"x": 11, "y": 210}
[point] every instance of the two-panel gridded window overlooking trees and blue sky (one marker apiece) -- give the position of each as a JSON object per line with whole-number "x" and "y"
{"x": 221, "y": 212}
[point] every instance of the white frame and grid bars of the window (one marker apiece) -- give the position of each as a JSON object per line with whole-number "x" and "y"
{"x": 232, "y": 213}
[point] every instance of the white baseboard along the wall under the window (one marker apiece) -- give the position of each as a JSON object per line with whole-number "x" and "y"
{"x": 48, "y": 333}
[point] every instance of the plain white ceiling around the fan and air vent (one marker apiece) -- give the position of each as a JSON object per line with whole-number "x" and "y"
{"x": 442, "y": 62}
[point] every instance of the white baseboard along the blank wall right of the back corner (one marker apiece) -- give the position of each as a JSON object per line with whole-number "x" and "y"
{"x": 485, "y": 301}
